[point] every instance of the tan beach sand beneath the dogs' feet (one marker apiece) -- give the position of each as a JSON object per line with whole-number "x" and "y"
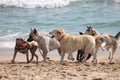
{"x": 51, "y": 70}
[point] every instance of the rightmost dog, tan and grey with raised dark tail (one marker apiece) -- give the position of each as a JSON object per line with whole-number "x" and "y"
{"x": 111, "y": 41}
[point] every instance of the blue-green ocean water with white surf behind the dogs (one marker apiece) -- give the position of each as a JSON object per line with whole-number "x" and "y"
{"x": 17, "y": 17}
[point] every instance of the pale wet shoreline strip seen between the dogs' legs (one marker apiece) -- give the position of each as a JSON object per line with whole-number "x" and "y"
{"x": 6, "y": 52}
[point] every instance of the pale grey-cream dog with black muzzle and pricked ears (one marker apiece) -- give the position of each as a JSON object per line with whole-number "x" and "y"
{"x": 45, "y": 43}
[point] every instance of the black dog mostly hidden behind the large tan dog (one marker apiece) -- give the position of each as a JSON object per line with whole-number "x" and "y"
{"x": 80, "y": 53}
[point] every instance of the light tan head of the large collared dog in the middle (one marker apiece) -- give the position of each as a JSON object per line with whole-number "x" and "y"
{"x": 57, "y": 33}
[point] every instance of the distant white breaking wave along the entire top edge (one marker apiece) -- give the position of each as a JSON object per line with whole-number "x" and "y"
{"x": 46, "y": 3}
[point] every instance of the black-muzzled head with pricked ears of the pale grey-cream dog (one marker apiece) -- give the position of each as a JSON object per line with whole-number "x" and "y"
{"x": 33, "y": 35}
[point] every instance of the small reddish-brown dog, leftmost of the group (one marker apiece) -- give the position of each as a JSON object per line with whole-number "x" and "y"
{"x": 23, "y": 47}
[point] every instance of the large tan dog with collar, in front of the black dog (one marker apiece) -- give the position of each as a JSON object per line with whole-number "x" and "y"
{"x": 70, "y": 43}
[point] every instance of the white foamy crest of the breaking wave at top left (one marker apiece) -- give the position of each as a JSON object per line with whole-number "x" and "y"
{"x": 36, "y": 3}
